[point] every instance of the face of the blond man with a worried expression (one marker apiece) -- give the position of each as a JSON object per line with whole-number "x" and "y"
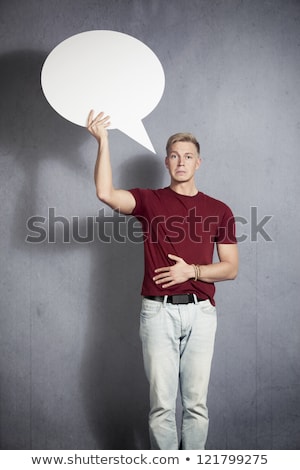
{"x": 182, "y": 161}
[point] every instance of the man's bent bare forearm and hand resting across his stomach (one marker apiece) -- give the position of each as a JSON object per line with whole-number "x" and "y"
{"x": 225, "y": 269}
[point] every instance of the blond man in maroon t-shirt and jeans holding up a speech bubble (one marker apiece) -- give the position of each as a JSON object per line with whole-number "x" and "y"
{"x": 178, "y": 318}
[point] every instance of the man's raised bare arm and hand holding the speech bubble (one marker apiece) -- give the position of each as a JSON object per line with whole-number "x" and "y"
{"x": 117, "y": 199}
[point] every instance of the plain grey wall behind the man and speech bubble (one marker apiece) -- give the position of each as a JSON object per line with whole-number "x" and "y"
{"x": 70, "y": 357}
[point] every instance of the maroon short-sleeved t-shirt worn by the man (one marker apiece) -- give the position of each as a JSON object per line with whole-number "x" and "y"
{"x": 185, "y": 226}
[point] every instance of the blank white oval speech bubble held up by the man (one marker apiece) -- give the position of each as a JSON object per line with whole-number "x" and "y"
{"x": 105, "y": 71}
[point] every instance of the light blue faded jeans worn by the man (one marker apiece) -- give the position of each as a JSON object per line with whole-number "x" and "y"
{"x": 178, "y": 345}
